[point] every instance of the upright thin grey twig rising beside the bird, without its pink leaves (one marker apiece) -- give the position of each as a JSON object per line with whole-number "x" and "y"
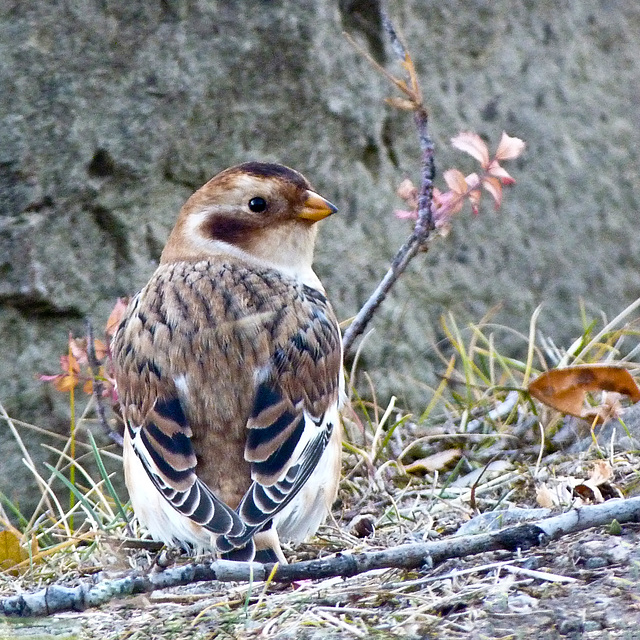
{"x": 424, "y": 225}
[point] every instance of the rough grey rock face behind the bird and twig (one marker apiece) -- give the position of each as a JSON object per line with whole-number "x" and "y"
{"x": 112, "y": 113}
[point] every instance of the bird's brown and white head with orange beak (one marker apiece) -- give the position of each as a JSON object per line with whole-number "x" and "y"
{"x": 264, "y": 211}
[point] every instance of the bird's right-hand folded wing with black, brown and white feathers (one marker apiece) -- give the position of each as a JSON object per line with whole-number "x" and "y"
{"x": 287, "y": 432}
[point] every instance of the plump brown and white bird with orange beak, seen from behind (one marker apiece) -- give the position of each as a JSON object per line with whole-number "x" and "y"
{"x": 229, "y": 372}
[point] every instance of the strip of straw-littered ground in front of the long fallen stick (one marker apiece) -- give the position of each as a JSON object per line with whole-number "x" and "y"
{"x": 592, "y": 591}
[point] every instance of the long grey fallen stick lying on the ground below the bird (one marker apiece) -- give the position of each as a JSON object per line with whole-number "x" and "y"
{"x": 55, "y": 599}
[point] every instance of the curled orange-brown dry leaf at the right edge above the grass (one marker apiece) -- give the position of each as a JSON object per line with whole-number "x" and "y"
{"x": 566, "y": 389}
